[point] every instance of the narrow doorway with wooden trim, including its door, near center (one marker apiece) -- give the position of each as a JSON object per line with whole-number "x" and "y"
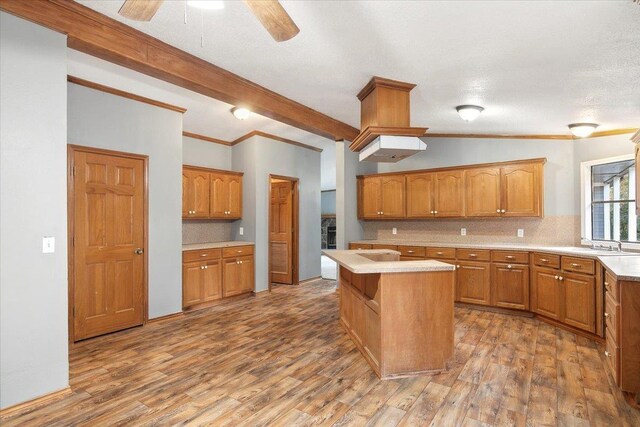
{"x": 283, "y": 230}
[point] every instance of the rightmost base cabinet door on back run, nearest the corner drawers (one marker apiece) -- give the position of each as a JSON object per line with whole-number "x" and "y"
{"x": 579, "y": 301}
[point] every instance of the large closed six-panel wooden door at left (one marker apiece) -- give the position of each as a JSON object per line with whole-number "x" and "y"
{"x": 108, "y": 243}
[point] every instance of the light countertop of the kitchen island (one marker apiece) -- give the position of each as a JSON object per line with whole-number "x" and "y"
{"x": 365, "y": 262}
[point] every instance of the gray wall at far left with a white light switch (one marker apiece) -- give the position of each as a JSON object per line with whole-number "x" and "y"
{"x": 33, "y": 191}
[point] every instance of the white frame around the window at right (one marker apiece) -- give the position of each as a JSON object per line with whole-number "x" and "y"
{"x": 585, "y": 203}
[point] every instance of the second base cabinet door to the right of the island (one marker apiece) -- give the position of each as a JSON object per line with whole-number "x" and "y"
{"x": 510, "y": 286}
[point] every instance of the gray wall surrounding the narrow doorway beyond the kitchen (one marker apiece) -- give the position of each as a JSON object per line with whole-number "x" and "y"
{"x": 258, "y": 157}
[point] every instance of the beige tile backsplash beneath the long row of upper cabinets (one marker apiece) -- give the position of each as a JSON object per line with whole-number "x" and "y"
{"x": 551, "y": 230}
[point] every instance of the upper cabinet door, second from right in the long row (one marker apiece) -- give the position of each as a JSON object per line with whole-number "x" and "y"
{"x": 482, "y": 192}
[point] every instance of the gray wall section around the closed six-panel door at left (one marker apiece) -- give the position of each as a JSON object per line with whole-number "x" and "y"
{"x": 101, "y": 120}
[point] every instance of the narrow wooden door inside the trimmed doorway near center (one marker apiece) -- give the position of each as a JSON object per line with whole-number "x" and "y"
{"x": 281, "y": 232}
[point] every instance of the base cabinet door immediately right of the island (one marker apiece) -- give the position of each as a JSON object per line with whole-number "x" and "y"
{"x": 473, "y": 283}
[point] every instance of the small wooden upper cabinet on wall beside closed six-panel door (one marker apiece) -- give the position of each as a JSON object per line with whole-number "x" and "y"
{"x": 211, "y": 193}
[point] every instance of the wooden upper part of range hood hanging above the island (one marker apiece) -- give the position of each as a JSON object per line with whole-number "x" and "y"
{"x": 384, "y": 110}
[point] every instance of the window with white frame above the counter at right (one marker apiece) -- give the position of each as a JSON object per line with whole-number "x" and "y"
{"x": 610, "y": 212}
